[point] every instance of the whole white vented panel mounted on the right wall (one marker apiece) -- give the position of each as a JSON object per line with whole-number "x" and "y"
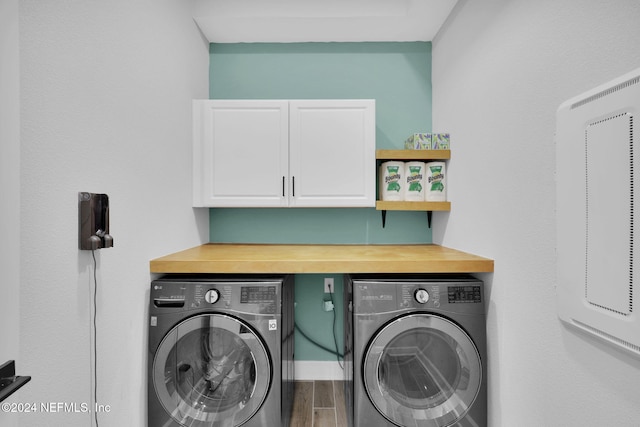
{"x": 595, "y": 211}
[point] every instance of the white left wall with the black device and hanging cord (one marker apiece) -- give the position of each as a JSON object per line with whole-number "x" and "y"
{"x": 106, "y": 108}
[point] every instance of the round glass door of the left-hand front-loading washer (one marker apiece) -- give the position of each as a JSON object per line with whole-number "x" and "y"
{"x": 211, "y": 370}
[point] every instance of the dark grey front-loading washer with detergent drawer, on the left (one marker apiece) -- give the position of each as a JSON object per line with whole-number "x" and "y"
{"x": 220, "y": 351}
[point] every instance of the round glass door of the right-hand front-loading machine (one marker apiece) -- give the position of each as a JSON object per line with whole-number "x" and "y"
{"x": 422, "y": 370}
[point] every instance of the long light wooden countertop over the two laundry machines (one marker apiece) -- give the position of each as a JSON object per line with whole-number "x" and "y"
{"x": 280, "y": 258}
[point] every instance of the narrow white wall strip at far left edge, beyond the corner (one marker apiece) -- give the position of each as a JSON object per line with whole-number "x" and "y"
{"x": 10, "y": 191}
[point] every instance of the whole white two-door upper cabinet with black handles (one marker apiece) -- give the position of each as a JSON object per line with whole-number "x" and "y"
{"x": 298, "y": 153}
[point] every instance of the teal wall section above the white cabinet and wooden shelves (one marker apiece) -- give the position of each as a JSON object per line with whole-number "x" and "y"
{"x": 396, "y": 75}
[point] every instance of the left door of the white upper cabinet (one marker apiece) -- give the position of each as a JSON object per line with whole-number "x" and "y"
{"x": 240, "y": 153}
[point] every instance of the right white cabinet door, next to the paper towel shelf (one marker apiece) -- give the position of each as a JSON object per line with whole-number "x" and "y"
{"x": 332, "y": 153}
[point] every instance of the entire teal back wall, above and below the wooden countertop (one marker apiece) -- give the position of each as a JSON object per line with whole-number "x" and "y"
{"x": 398, "y": 77}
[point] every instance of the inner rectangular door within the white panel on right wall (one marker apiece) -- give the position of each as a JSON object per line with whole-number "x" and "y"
{"x": 609, "y": 214}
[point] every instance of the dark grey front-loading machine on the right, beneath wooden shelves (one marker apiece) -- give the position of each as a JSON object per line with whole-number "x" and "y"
{"x": 415, "y": 351}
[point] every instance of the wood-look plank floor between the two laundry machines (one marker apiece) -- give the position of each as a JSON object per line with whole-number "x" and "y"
{"x": 319, "y": 404}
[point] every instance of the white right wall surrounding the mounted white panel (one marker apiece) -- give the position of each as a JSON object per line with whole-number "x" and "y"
{"x": 500, "y": 70}
